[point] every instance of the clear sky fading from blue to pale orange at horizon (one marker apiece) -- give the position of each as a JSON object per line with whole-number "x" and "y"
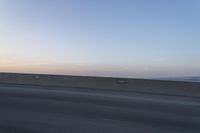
{"x": 112, "y": 38}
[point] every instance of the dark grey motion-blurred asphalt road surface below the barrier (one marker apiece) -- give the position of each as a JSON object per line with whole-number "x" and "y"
{"x": 31, "y": 109}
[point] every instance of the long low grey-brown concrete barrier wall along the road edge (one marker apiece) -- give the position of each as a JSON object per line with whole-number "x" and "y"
{"x": 120, "y": 84}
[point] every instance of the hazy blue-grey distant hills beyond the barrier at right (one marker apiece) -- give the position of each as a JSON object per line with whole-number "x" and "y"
{"x": 189, "y": 78}
